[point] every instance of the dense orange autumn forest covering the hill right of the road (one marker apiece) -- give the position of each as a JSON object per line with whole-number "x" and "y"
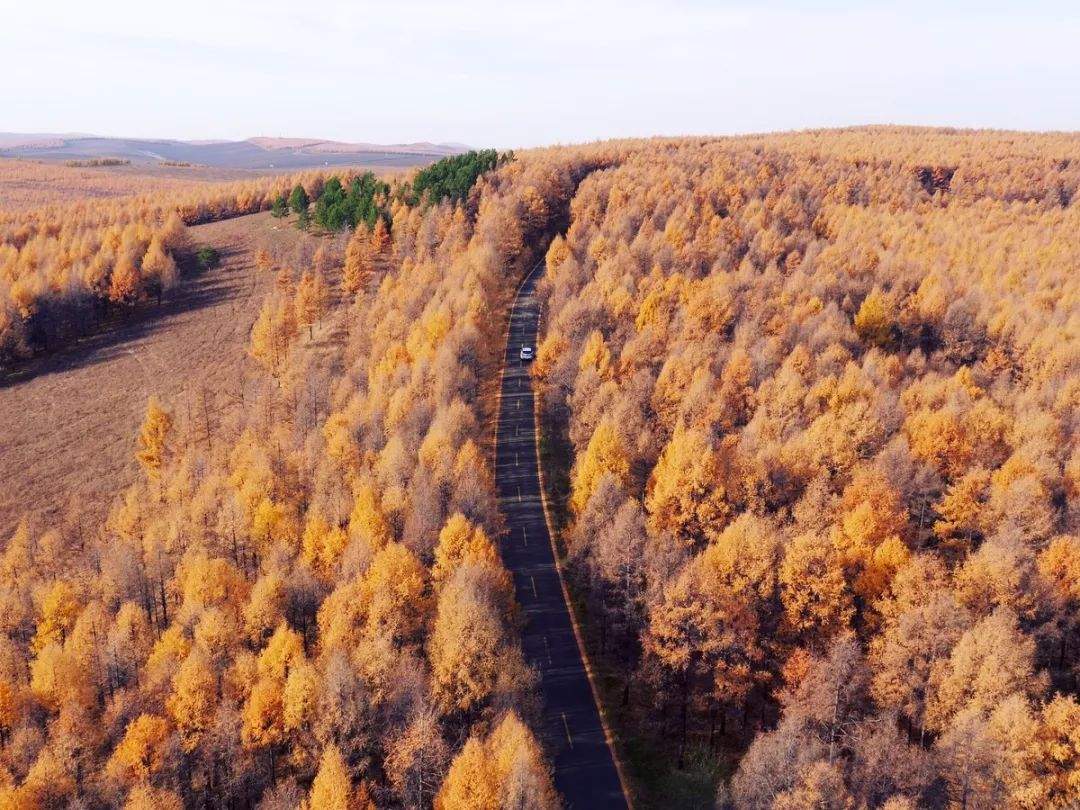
{"x": 821, "y": 397}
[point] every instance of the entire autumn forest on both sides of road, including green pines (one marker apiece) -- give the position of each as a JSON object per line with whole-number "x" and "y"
{"x": 809, "y": 409}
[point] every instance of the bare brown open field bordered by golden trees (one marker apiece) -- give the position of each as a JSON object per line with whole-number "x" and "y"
{"x": 69, "y": 422}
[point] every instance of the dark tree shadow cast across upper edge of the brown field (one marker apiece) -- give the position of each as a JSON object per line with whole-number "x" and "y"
{"x": 110, "y": 337}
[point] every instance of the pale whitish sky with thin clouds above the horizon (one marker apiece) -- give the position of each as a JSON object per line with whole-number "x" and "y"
{"x": 504, "y": 74}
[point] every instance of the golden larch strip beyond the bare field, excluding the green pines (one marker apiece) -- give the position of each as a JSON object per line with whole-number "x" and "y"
{"x": 64, "y": 267}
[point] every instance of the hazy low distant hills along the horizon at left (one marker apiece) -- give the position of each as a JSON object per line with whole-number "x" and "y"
{"x": 260, "y": 153}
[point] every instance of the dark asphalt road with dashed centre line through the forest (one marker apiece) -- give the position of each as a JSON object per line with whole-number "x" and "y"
{"x": 585, "y": 769}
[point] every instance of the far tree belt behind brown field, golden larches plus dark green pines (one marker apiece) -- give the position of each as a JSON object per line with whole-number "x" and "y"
{"x": 64, "y": 267}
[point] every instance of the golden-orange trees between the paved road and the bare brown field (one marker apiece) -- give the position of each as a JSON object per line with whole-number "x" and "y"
{"x": 306, "y": 607}
